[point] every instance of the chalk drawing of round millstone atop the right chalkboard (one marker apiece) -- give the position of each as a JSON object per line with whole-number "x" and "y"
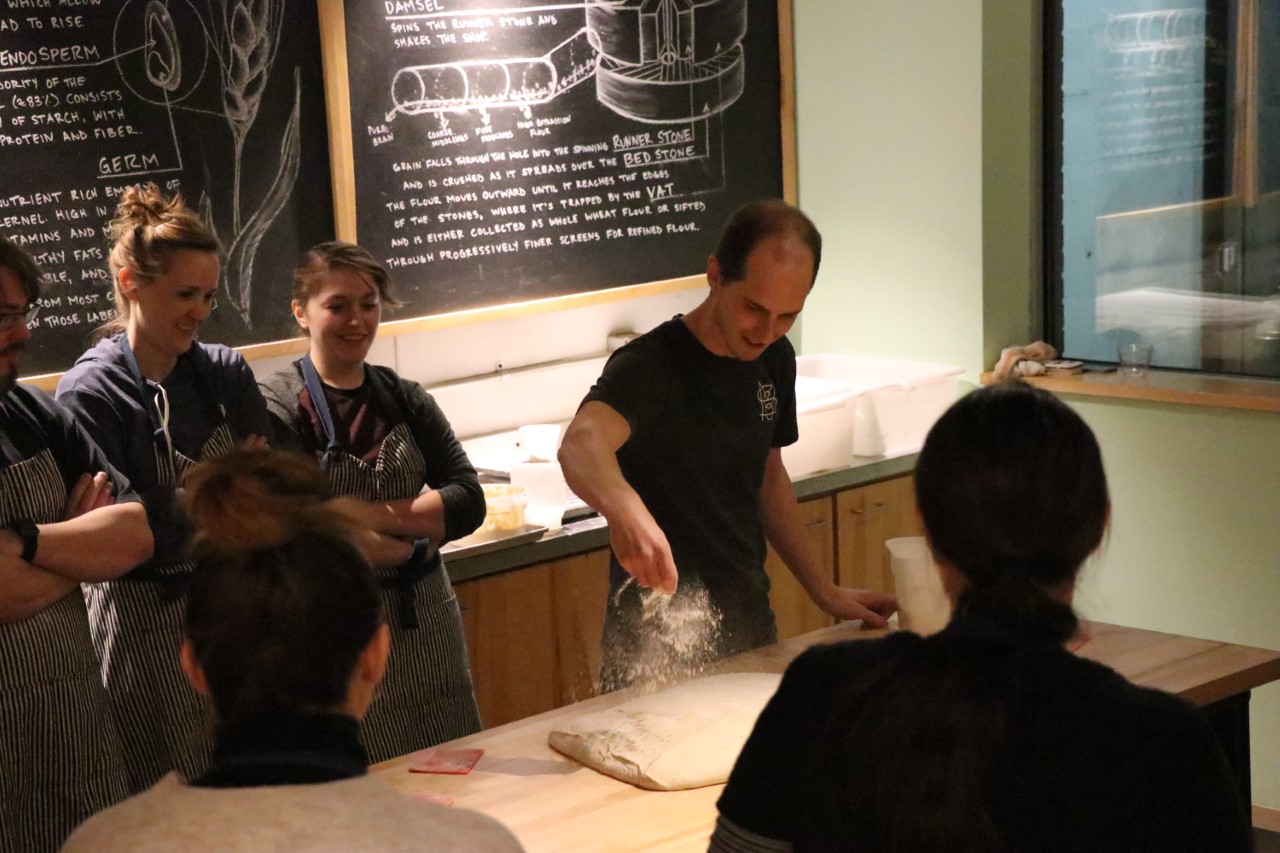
{"x": 668, "y": 62}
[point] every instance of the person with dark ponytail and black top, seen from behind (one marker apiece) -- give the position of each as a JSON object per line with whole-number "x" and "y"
{"x": 990, "y": 736}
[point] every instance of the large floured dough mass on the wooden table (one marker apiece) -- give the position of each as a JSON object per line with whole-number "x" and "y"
{"x": 684, "y": 737}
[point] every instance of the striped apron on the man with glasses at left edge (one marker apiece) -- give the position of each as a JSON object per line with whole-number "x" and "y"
{"x": 61, "y": 755}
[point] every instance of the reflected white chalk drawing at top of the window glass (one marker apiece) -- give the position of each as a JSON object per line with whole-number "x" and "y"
{"x": 1159, "y": 43}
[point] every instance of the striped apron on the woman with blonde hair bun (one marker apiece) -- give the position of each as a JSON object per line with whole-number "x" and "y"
{"x": 138, "y": 628}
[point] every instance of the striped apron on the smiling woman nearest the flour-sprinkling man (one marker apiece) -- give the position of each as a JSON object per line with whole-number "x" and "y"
{"x": 427, "y": 696}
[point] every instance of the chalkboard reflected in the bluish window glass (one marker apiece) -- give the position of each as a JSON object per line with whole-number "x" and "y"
{"x": 1146, "y": 102}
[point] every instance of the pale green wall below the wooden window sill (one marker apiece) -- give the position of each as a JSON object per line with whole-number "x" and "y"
{"x": 1195, "y": 546}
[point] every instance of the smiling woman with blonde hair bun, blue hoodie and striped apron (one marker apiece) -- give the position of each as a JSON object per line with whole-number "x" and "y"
{"x": 159, "y": 402}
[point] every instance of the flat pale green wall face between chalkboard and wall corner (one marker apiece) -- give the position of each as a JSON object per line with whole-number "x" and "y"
{"x": 890, "y": 154}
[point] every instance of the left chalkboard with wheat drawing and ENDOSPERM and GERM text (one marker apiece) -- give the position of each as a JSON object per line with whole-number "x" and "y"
{"x": 222, "y": 101}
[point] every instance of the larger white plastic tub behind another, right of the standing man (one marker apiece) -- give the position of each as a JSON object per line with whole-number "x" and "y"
{"x": 898, "y": 402}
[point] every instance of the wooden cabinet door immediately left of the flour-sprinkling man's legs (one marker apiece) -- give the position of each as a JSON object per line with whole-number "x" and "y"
{"x": 580, "y": 589}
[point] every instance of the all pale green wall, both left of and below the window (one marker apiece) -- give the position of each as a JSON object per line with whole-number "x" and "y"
{"x": 918, "y": 152}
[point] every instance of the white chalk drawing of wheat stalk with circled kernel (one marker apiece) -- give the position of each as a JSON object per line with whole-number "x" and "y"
{"x": 163, "y": 56}
